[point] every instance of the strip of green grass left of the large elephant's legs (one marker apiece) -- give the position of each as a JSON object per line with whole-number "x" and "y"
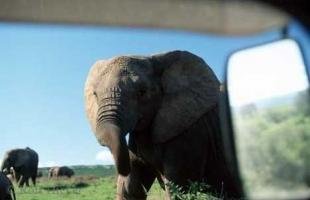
{"x": 86, "y": 188}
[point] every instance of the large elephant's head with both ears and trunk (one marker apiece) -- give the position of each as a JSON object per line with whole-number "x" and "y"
{"x": 160, "y": 95}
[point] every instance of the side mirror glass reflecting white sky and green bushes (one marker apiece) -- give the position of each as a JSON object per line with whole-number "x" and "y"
{"x": 269, "y": 98}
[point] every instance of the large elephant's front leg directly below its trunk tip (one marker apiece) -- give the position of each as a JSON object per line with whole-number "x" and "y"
{"x": 136, "y": 185}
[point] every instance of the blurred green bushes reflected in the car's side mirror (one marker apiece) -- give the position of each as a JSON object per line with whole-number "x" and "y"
{"x": 274, "y": 145}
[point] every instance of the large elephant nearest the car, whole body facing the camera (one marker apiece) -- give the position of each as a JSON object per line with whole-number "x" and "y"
{"x": 168, "y": 103}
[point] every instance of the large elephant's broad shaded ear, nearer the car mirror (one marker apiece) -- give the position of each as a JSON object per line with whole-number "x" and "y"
{"x": 190, "y": 89}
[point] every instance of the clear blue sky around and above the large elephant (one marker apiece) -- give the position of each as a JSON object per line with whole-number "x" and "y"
{"x": 43, "y": 69}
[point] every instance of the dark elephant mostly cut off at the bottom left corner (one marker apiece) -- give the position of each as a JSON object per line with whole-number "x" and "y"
{"x": 6, "y": 188}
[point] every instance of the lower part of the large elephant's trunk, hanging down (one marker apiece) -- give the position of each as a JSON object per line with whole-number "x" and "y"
{"x": 111, "y": 135}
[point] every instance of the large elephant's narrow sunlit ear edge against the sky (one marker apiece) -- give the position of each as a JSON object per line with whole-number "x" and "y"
{"x": 91, "y": 105}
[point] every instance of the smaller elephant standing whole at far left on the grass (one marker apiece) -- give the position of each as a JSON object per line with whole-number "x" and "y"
{"x": 25, "y": 164}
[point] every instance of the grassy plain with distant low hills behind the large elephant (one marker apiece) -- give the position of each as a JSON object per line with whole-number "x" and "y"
{"x": 89, "y": 183}
